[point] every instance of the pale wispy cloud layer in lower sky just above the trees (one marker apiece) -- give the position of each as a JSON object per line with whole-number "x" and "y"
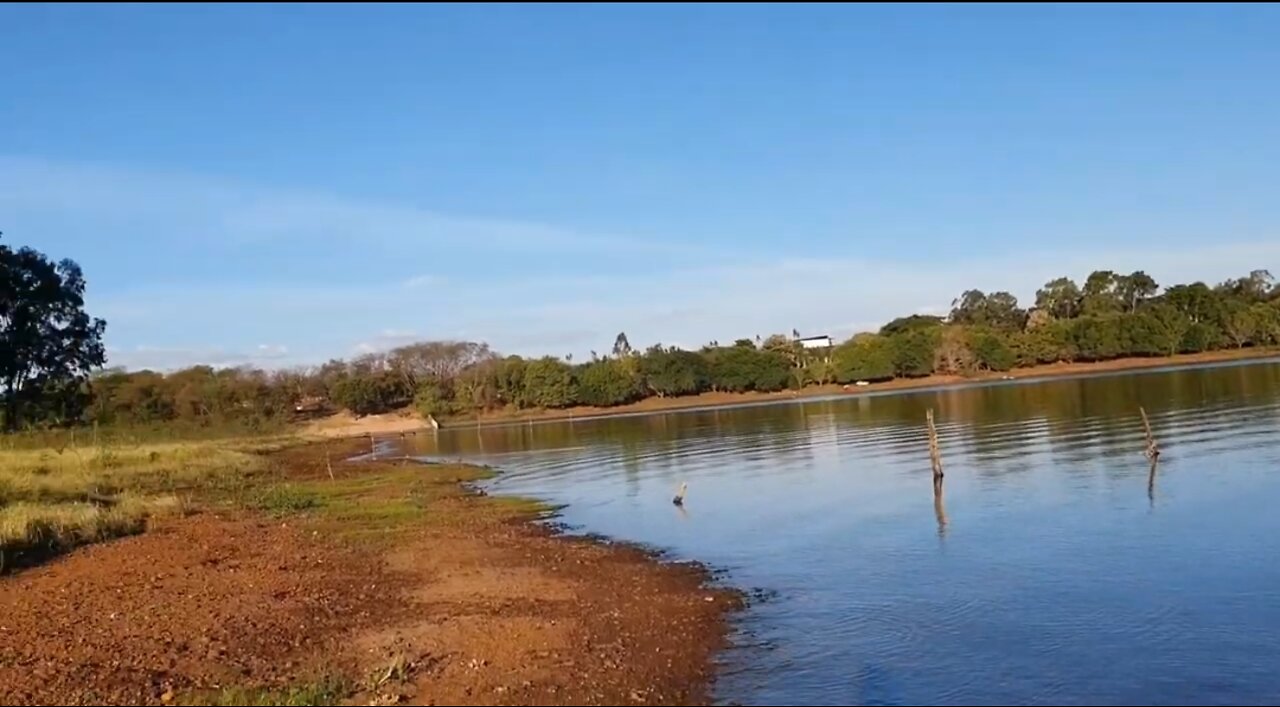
{"x": 324, "y": 277}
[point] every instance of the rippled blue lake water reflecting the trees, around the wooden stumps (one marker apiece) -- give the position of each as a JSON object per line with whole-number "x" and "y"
{"x": 1053, "y": 573}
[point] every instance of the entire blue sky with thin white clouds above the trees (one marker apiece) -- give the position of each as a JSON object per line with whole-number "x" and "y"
{"x": 281, "y": 185}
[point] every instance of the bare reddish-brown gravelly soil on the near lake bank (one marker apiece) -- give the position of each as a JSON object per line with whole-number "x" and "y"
{"x": 464, "y": 605}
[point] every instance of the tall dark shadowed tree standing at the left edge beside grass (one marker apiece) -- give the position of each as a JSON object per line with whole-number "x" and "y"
{"x": 48, "y": 344}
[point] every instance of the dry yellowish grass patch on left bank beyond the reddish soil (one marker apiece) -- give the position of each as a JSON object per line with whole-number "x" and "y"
{"x": 53, "y": 500}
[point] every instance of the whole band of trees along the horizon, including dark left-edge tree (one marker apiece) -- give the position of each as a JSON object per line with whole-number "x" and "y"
{"x": 51, "y": 364}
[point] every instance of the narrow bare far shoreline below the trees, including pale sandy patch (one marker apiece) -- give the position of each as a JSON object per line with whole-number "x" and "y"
{"x": 396, "y": 423}
